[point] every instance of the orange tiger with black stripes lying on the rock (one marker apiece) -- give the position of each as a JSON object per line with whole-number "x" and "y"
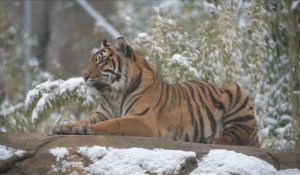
{"x": 136, "y": 101}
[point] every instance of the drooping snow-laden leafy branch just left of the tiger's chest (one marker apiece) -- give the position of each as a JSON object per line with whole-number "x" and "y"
{"x": 49, "y": 96}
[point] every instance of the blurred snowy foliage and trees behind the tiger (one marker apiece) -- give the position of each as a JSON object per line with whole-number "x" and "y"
{"x": 44, "y": 43}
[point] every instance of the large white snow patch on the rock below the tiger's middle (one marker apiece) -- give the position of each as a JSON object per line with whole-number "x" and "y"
{"x": 135, "y": 160}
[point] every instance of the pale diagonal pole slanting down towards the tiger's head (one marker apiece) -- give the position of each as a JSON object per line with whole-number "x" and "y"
{"x": 100, "y": 20}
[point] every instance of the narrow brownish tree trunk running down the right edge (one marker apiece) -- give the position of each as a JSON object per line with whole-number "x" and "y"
{"x": 294, "y": 56}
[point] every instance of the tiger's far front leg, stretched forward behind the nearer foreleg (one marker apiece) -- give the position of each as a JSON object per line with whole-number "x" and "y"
{"x": 78, "y": 126}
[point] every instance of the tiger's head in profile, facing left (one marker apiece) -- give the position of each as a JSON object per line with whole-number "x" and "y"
{"x": 109, "y": 67}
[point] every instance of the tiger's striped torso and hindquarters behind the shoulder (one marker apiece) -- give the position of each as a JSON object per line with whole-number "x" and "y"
{"x": 199, "y": 112}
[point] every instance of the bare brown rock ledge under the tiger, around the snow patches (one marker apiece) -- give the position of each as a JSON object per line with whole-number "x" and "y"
{"x": 38, "y": 160}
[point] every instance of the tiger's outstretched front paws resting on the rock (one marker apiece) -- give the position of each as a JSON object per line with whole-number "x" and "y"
{"x": 70, "y": 129}
